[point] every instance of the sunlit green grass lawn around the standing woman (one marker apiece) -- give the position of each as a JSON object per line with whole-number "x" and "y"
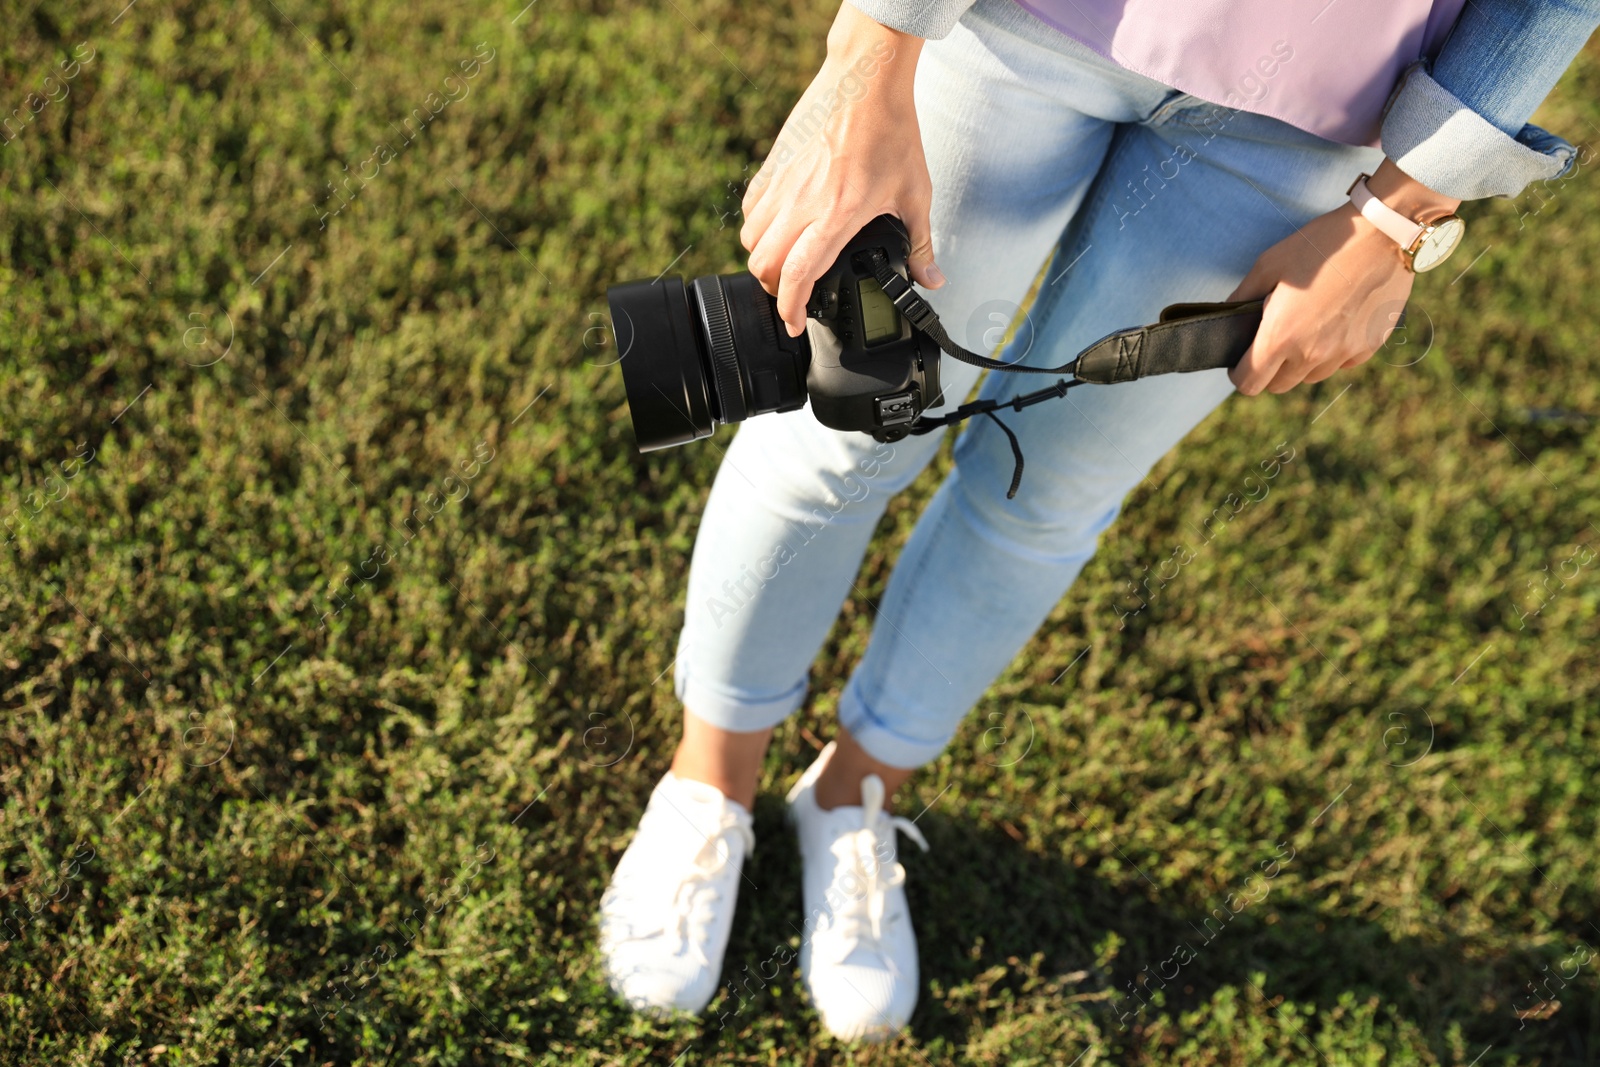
{"x": 242, "y": 828}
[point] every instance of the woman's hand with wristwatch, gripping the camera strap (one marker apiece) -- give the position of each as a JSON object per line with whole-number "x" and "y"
{"x": 1334, "y": 290}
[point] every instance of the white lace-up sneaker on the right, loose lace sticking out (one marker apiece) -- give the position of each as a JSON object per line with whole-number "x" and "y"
{"x": 860, "y": 956}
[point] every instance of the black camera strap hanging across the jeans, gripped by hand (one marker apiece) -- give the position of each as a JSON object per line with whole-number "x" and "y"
{"x": 1186, "y": 338}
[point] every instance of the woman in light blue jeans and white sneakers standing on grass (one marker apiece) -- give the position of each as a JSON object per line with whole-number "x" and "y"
{"x": 1162, "y": 151}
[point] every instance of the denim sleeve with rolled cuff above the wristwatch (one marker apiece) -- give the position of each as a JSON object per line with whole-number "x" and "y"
{"x": 1460, "y": 127}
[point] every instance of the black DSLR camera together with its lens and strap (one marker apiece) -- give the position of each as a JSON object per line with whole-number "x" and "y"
{"x": 870, "y": 359}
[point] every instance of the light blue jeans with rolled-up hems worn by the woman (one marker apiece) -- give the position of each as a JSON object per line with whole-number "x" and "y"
{"x": 1146, "y": 198}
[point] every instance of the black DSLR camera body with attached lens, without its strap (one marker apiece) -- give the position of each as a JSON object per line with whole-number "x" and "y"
{"x": 713, "y": 353}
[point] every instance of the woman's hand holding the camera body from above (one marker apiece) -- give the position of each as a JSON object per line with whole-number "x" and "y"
{"x": 849, "y": 153}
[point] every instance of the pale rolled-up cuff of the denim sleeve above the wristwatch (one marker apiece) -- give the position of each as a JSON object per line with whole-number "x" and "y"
{"x": 1447, "y": 146}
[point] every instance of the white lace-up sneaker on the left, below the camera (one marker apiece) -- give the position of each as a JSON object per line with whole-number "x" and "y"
{"x": 666, "y": 916}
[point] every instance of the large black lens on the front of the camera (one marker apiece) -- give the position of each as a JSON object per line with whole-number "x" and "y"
{"x": 703, "y": 356}
